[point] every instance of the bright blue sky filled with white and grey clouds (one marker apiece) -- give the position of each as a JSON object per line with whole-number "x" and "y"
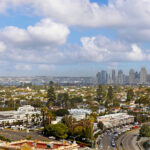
{"x": 73, "y": 37}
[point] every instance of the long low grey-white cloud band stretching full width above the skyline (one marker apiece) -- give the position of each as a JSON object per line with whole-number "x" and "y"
{"x": 93, "y": 49}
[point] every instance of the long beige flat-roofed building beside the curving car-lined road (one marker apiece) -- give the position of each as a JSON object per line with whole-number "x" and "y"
{"x": 114, "y": 120}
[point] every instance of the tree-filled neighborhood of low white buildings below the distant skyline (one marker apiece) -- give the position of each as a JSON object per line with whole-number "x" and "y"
{"x": 80, "y": 114}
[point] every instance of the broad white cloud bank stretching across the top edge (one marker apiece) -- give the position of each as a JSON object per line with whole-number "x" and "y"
{"x": 85, "y": 13}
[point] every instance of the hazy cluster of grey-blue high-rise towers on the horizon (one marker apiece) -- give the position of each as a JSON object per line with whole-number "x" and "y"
{"x": 119, "y": 77}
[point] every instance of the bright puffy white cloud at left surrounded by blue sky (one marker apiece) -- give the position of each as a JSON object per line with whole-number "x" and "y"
{"x": 46, "y": 34}
